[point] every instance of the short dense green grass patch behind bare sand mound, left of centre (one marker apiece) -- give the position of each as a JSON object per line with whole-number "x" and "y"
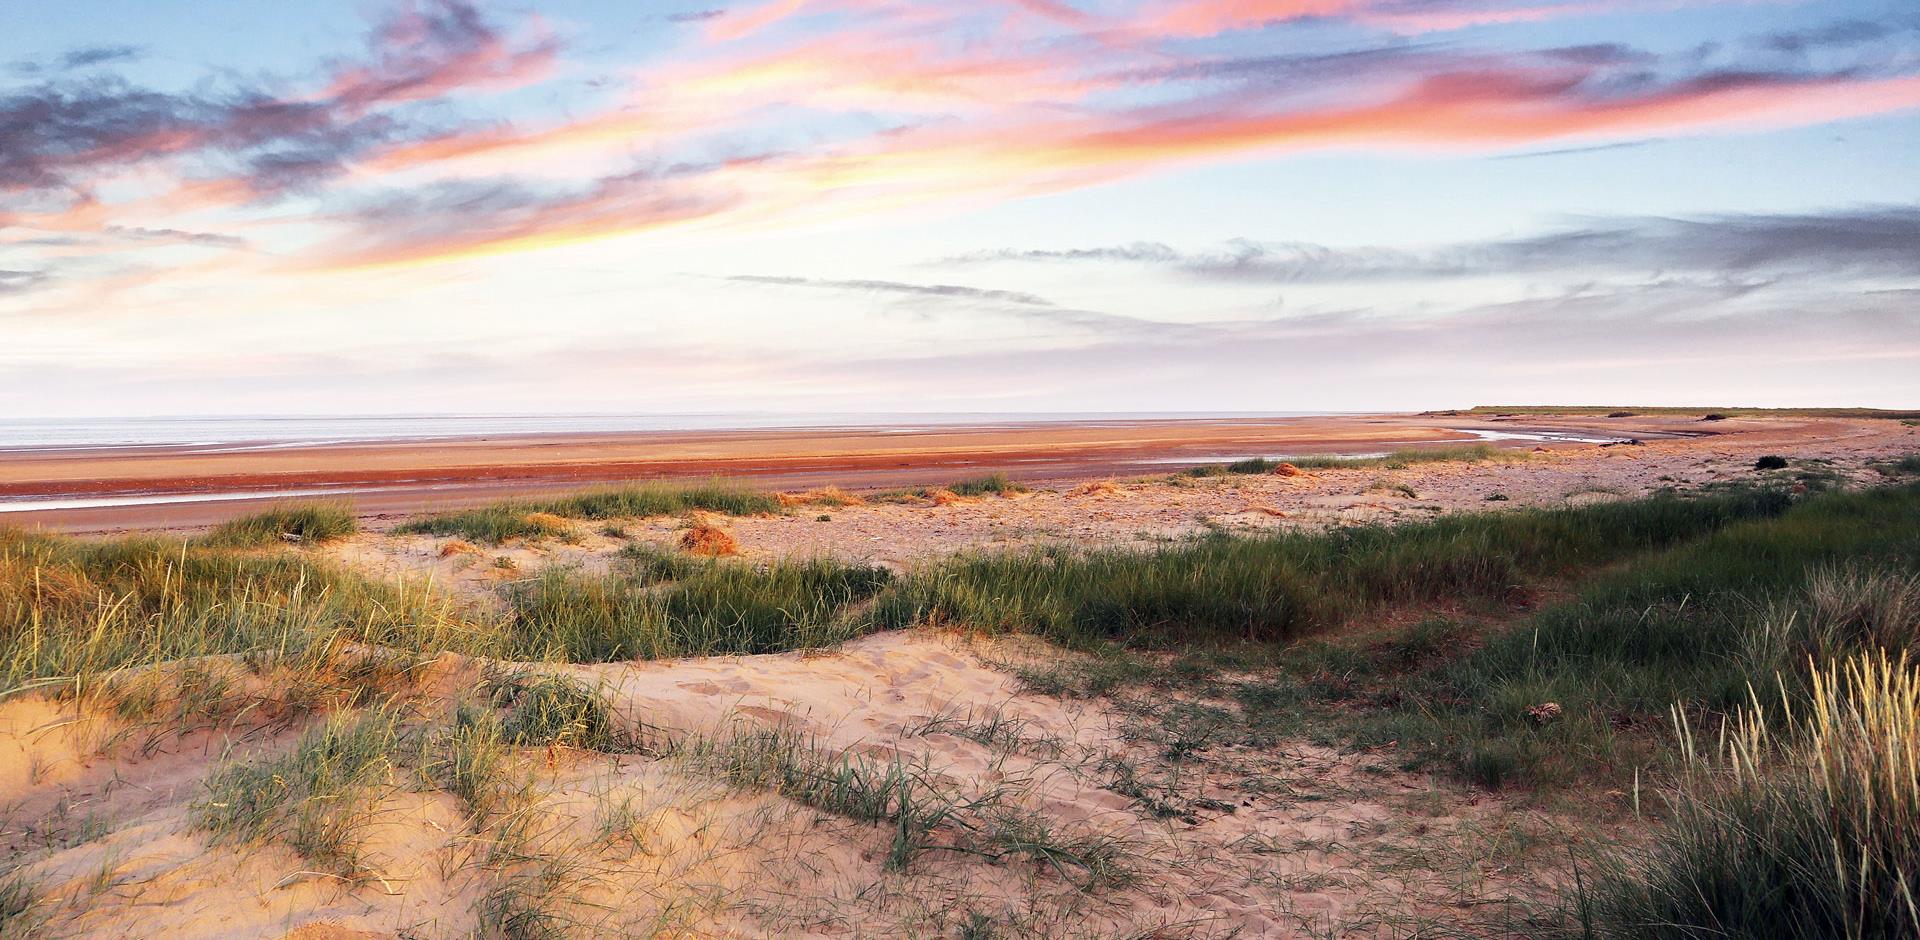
{"x": 679, "y": 607}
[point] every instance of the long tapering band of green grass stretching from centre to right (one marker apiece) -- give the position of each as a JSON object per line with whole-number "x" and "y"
{"x": 1280, "y": 586}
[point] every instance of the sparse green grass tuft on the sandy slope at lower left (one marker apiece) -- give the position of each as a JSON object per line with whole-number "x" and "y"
{"x": 314, "y": 799}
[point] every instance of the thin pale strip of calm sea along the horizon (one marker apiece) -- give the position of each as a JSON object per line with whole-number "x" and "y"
{"x": 228, "y": 433}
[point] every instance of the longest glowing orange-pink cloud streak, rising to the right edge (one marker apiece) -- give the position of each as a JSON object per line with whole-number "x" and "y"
{"x": 1462, "y": 112}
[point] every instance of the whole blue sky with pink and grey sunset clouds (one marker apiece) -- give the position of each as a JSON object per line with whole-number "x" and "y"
{"x": 892, "y": 206}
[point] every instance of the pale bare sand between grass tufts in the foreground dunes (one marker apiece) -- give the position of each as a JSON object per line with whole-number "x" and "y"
{"x": 652, "y": 849}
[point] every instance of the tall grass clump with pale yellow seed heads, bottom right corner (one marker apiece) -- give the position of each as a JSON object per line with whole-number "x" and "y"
{"x": 1806, "y": 830}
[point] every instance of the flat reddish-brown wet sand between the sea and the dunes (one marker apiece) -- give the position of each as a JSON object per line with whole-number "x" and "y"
{"x": 156, "y": 488}
